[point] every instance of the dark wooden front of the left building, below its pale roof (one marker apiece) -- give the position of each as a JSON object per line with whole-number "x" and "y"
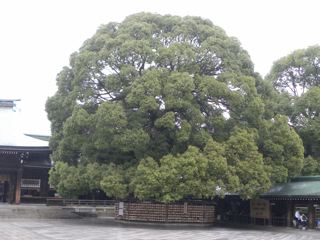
{"x": 23, "y": 173}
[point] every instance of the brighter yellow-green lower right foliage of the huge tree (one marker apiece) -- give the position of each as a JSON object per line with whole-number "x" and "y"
{"x": 236, "y": 167}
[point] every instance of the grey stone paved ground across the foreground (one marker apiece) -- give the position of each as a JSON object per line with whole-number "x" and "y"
{"x": 30, "y": 229}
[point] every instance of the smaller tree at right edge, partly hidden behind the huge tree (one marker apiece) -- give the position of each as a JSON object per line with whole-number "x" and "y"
{"x": 297, "y": 78}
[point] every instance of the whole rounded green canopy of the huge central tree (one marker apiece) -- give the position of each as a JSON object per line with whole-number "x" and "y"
{"x": 167, "y": 108}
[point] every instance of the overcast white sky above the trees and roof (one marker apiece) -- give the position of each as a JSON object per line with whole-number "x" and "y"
{"x": 38, "y": 36}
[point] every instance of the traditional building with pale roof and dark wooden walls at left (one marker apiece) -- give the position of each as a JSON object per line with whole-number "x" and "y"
{"x": 24, "y": 158}
